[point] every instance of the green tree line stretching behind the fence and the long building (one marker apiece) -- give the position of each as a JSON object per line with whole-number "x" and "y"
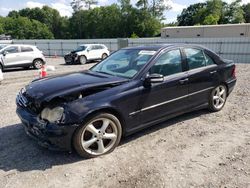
{"x": 120, "y": 19}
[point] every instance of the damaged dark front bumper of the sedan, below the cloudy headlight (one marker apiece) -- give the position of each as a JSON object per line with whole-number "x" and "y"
{"x": 51, "y": 136}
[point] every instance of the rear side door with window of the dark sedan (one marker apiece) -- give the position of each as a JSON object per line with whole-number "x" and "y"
{"x": 202, "y": 75}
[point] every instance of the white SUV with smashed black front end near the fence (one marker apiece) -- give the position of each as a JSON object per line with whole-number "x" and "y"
{"x": 87, "y": 52}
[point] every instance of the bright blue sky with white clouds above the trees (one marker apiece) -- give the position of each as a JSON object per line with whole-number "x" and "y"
{"x": 63, "y": 6}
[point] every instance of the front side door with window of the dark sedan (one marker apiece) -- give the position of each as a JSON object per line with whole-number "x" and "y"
{"x": 169, "y": 97}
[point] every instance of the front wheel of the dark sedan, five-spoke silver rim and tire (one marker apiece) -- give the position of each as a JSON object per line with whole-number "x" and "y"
{"x": 98, "y": 136}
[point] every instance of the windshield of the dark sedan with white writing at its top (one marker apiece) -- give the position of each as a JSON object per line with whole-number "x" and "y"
{"x": 124, "y": 63}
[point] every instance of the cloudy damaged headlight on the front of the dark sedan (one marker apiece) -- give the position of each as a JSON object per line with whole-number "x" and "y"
{"x": 52, "y": 115}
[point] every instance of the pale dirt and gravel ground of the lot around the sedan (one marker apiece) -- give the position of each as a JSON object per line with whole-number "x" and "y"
{"x": 198, "y": 149}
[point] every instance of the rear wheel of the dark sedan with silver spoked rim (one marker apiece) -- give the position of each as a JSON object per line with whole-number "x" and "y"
{"x": 217, "y": 99}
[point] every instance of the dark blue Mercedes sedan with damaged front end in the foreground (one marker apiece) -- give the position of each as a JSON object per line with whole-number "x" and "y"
{"x": 134, "y": 88}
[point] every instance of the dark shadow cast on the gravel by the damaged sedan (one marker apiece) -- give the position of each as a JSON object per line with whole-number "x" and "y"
{"x": 21, "y": 153}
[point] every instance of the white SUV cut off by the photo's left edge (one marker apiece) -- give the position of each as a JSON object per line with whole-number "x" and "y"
{"x": 25, "y": 56}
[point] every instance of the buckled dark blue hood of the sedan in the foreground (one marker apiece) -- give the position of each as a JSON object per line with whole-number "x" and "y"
{"x": 48, "y": 88}
